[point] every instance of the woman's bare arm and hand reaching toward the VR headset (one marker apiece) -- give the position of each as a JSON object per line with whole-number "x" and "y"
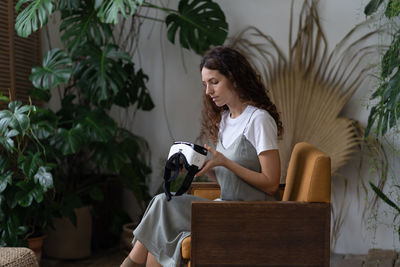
{"x": 267, "y": 180}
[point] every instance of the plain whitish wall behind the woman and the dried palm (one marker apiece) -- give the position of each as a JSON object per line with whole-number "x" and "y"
{"x": 180, "y": 91}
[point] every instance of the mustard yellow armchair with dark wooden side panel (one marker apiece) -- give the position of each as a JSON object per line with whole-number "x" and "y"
{"x": 291, "y": 232}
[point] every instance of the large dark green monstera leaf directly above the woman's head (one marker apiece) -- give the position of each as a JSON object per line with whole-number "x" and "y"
{"x": 201, "y": 23}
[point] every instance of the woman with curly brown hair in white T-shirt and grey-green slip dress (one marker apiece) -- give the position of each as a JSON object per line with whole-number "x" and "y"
{"x": 244, "y": 124}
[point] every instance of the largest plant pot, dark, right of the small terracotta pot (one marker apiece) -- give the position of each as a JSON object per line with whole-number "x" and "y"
{"x": 67, "y": 241}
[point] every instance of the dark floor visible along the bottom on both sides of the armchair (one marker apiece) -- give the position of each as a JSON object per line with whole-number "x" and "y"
{"x": 114, "y": 257}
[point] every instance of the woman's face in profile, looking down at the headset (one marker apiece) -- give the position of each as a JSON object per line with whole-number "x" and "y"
{"x": 218, "y": 87}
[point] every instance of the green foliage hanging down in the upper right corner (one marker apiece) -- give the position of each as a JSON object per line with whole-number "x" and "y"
{"x": 385, "y": 113}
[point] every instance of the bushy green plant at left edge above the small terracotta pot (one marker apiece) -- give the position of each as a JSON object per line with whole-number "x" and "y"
{"x": 26, "y": 181}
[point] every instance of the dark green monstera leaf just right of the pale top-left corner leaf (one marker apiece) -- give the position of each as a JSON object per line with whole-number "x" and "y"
{"x": 82, "y": 26}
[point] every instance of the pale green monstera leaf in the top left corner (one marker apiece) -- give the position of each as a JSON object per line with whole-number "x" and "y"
{"x": 33, "y": 16}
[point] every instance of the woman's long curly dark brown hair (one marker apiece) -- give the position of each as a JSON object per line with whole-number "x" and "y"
{"x": 248, "y": 86}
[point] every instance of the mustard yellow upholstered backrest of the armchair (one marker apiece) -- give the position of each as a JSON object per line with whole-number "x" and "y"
{"x": 309, "y": 175}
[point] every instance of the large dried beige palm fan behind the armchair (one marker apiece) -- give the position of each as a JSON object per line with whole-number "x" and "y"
{"x": 311, "y": 86}
